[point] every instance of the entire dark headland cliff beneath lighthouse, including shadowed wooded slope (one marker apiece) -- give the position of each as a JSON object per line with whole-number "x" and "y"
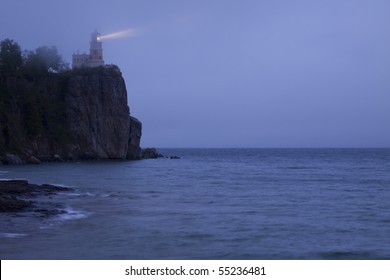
{"x": 88, "y": 118}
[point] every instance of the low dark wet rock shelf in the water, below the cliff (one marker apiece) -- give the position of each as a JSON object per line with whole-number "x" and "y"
{"x": 22, "y": 196}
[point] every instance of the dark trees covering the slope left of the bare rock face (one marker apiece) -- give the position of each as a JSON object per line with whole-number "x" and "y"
{"x": 32, "y": 87}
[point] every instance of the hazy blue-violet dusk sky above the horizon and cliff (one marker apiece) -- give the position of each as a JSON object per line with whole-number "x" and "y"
{"x": 233, "y": 73}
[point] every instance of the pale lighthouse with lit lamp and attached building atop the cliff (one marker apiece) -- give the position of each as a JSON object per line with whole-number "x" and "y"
{"x": 95, "y": 56}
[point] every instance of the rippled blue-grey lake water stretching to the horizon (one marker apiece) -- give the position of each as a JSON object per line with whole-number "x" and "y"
{"x": 211, "y": 204}
